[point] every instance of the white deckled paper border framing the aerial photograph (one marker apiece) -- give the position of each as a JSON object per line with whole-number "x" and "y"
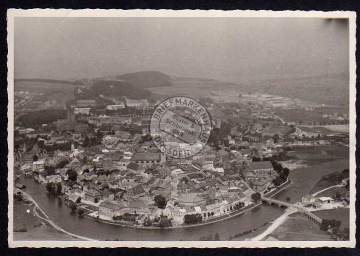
{"x": 14, "y": 13}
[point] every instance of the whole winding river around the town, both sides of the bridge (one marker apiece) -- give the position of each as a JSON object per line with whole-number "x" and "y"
{"x": 303, "y": 179}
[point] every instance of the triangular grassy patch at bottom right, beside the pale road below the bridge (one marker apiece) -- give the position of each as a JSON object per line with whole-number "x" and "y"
{"x": 298, "y": 227}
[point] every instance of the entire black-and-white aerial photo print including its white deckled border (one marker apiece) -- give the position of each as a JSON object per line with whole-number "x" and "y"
{"x": 182, "y": 129}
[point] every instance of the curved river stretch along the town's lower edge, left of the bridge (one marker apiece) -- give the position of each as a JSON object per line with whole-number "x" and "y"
{"x": 61, "y": 214}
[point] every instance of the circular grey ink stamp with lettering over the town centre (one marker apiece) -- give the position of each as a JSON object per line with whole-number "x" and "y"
{"x": 180, "y": 127}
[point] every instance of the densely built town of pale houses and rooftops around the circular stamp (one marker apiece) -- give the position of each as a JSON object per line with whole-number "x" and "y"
{"x": 102, "y": 162}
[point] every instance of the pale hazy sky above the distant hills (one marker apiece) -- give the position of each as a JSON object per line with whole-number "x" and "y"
{"x": 222, "y": 48}
